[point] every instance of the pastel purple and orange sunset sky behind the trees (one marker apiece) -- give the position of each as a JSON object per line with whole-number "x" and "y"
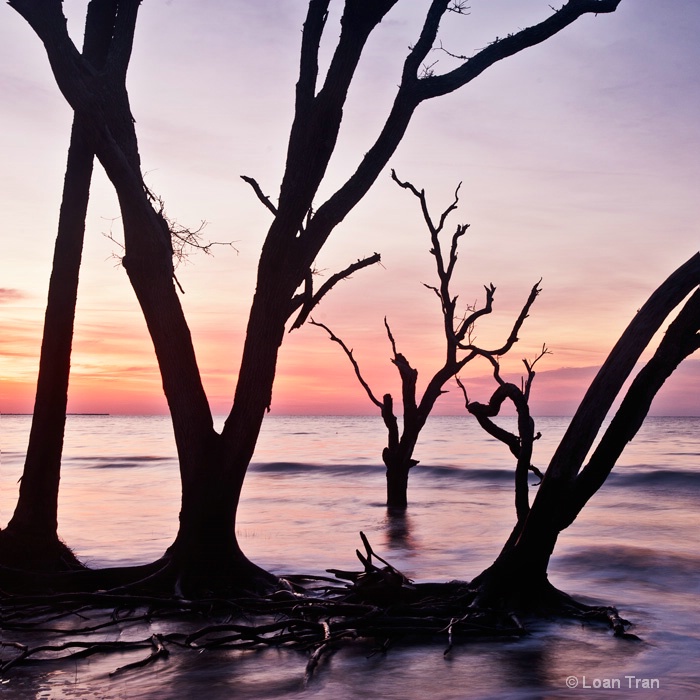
{"x": 578, "y": 161}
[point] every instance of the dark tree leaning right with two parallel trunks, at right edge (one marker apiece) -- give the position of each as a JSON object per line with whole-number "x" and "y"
{"x": 518, "y": 576}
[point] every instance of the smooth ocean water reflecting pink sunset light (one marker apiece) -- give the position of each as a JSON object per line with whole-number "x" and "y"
{"x": 316, "y": 482}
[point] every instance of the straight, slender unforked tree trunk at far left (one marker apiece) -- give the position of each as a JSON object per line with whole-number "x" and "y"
{"x": 31, "y": 537}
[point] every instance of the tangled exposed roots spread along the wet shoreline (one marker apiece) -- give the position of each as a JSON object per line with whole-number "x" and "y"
{"x": 313, "y": 615}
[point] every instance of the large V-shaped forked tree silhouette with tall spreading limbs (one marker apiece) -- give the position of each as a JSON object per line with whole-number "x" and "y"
{"x": 206, "y": 554}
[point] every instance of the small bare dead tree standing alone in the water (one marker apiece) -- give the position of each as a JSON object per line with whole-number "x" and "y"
{"x": 459, "y": 350}
